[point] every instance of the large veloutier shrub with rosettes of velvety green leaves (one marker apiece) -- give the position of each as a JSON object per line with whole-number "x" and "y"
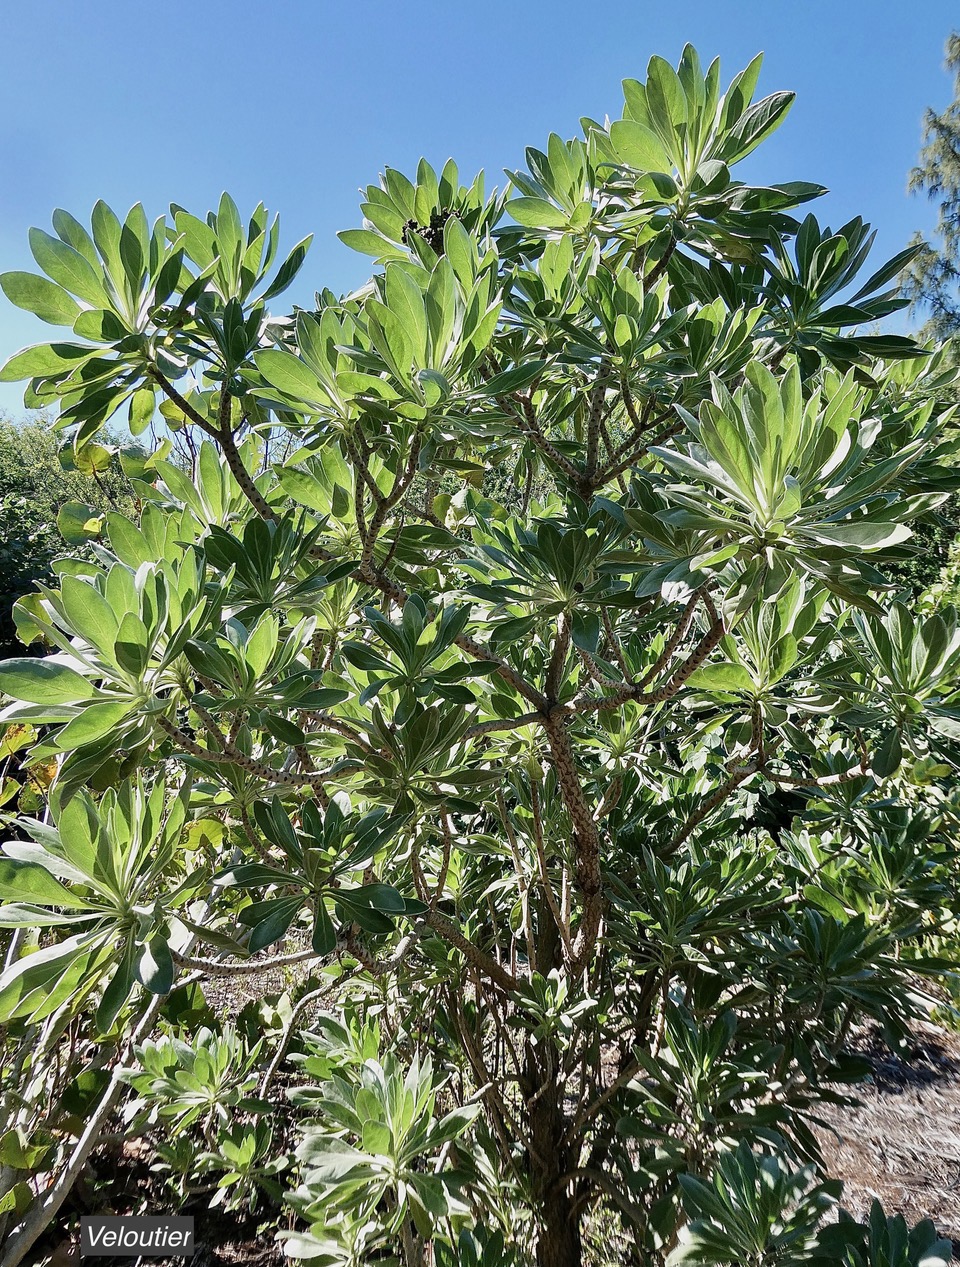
{"x": 520, "y": 665}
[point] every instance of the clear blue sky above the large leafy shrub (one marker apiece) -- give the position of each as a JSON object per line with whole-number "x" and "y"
{"x": 300, "y": 103}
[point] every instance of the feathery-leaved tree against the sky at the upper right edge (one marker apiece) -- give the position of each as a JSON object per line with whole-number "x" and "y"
{"x": 933, "y": 281}
